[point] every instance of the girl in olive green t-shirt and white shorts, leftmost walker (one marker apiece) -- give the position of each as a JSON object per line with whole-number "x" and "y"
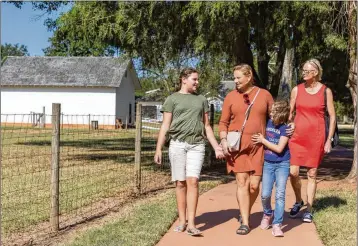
{"x": 185, "y": 120}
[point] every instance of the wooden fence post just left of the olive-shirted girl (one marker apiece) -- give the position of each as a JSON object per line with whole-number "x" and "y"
{"x": 138, "y": 139}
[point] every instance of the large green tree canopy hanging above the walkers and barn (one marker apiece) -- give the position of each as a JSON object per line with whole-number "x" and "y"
{"x": 160, "y": 33}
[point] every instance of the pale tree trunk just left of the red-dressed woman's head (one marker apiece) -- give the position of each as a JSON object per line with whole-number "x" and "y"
{"x": 287, "y": 81}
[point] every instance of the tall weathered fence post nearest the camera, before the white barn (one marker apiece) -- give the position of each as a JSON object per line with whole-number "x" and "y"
{"x": 55, "y": 167}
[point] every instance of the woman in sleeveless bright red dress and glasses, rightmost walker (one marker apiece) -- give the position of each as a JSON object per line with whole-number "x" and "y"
{"x": 309, "y": 142}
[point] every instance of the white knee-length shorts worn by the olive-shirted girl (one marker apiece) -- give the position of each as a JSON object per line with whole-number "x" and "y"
{"x": 186, "y": 159}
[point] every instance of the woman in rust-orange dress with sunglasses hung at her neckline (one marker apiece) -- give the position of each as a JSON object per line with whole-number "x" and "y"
{"x": 246, "y": 163}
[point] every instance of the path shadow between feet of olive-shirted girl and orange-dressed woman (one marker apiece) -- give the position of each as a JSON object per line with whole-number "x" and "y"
{"x": 212, "y": 219}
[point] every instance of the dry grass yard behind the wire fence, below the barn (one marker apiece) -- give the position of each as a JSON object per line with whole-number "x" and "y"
{"x": 94, "y": 165}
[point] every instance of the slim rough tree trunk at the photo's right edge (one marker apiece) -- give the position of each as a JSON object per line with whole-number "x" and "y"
{"x": 352, "y": 78}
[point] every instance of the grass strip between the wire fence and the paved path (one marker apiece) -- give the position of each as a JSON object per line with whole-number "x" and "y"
{"x": 143, "y": 225}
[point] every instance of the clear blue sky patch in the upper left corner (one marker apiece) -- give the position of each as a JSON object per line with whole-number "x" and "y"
{"x": 22, "y": 26}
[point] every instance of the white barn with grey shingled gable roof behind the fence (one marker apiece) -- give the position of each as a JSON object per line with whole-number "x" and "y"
{"x": 82, "y": 85}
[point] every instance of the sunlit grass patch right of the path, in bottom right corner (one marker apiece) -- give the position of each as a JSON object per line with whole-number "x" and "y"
{"x": 336, "y": 216}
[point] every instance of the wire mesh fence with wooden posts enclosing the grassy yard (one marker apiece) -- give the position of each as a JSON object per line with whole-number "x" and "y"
{"x": 72, "y": 168}
